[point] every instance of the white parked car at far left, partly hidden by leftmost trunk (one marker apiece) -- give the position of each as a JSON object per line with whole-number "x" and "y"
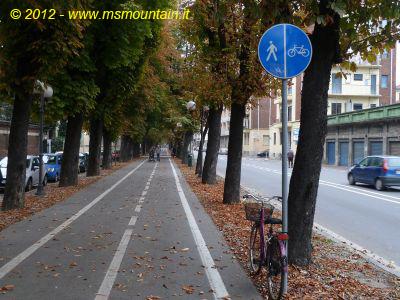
{"x": 31, "y": 175}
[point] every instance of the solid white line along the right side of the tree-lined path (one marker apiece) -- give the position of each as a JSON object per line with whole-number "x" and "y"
{"x": 214, "y": 278}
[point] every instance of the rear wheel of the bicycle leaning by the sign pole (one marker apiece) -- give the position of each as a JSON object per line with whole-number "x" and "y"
{"x": 275, "y": 269}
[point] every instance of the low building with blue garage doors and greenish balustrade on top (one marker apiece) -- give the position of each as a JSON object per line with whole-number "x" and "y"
{"x": 354, "y": 135}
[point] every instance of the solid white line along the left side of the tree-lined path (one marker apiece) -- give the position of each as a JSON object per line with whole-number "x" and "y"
{"x": 4, "y": 270}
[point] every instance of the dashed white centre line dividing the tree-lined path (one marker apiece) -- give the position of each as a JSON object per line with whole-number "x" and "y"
{"x": 112, "y": 271}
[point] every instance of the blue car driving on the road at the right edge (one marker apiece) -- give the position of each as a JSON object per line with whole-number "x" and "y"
{"x": 379, "y": 171}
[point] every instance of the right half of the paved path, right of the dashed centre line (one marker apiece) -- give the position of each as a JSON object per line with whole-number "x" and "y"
{"x": 164, "y": 258}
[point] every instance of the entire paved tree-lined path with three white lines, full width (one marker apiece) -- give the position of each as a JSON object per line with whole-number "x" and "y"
{"x": 139, "y": 233}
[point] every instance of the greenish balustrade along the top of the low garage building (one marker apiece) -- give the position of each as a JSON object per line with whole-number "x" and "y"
{"x": 366, "y": 115}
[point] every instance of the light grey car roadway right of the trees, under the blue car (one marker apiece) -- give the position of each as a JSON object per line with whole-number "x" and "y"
{"x": 360, "y": 214}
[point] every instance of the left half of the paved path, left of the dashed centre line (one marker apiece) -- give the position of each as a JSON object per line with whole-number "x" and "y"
{"x": 71, "y": 265}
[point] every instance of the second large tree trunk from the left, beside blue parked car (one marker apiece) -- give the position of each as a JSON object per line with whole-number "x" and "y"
{"x": 70, "y": 161}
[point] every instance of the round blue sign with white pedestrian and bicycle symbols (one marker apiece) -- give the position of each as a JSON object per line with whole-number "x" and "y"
{"x": 285, "y": 51}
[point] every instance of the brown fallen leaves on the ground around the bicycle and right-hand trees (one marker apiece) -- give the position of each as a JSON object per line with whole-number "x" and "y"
{"x": 335, "y": 272}
